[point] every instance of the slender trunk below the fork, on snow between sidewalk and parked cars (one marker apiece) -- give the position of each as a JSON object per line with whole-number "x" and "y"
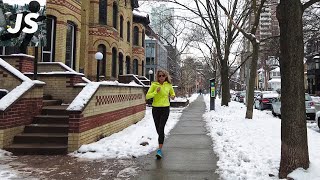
{"x": 252, "y": 79}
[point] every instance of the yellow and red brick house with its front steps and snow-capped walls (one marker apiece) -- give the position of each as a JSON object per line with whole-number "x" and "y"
{"x": 62, "y": 109}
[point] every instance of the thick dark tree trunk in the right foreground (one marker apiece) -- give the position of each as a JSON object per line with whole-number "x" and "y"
{"x": 294, "y": 142}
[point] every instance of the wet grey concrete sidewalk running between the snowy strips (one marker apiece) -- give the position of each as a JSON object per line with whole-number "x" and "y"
{"x": 187, "y": 151}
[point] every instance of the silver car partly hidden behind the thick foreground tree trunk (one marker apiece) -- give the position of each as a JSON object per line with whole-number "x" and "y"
{"x": 310, "y": 108}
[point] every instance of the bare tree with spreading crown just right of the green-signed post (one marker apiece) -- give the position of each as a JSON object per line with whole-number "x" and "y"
{"x": 208, "y": 16}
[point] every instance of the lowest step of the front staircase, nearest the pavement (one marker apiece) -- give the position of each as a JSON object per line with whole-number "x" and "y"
{"x": 38, "y": 149}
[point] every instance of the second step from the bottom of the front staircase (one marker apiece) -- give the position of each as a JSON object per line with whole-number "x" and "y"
{"x": 34, "y": 138}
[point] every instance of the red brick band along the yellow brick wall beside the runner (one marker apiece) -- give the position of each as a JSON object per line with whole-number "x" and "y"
{"x": 78, "y": 124}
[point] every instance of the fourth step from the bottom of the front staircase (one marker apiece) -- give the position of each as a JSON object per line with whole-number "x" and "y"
{"x": 51, "y": 119}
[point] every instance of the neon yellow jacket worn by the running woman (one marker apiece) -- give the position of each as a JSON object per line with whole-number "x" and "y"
{"x": 160, "y": 99}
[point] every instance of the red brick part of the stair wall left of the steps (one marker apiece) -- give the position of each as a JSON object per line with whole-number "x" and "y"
{"x": 20, "y": 113}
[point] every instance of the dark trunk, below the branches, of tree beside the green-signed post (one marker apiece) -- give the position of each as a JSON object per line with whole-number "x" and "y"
{"x": 225, "y": 83}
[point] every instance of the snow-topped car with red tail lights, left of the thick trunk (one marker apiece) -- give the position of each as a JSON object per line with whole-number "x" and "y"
{"x": 265, "y": 99}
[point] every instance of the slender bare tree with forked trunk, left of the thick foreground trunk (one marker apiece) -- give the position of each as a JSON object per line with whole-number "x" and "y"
{"x": 256, "y": 10}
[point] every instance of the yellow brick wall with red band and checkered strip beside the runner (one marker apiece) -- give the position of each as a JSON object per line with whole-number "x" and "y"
{"x": 110, "y": 110}
